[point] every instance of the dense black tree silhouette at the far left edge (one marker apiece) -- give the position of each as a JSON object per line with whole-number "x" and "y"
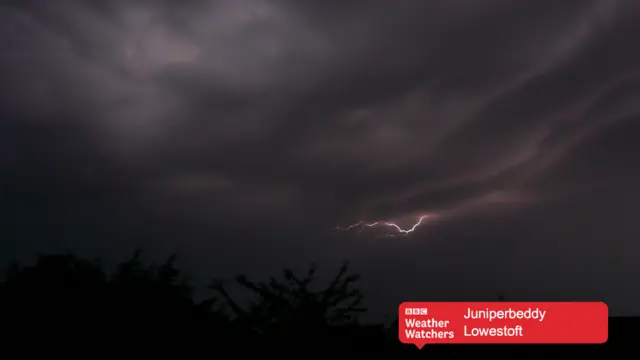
{"x": 64, "y": 289}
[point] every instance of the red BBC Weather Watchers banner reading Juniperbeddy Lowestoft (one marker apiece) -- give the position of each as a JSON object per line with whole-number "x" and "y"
{"x": 422, "y": 323}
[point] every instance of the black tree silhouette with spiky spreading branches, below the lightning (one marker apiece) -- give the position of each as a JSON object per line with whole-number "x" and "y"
{"x": 288, "y": 307}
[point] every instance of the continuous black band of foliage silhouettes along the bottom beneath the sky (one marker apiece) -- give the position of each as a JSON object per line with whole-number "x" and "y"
{"x": 70, "y": 300}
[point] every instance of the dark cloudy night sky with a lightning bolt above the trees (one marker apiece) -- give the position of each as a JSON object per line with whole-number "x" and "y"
{"x": 240, "y": 134}
